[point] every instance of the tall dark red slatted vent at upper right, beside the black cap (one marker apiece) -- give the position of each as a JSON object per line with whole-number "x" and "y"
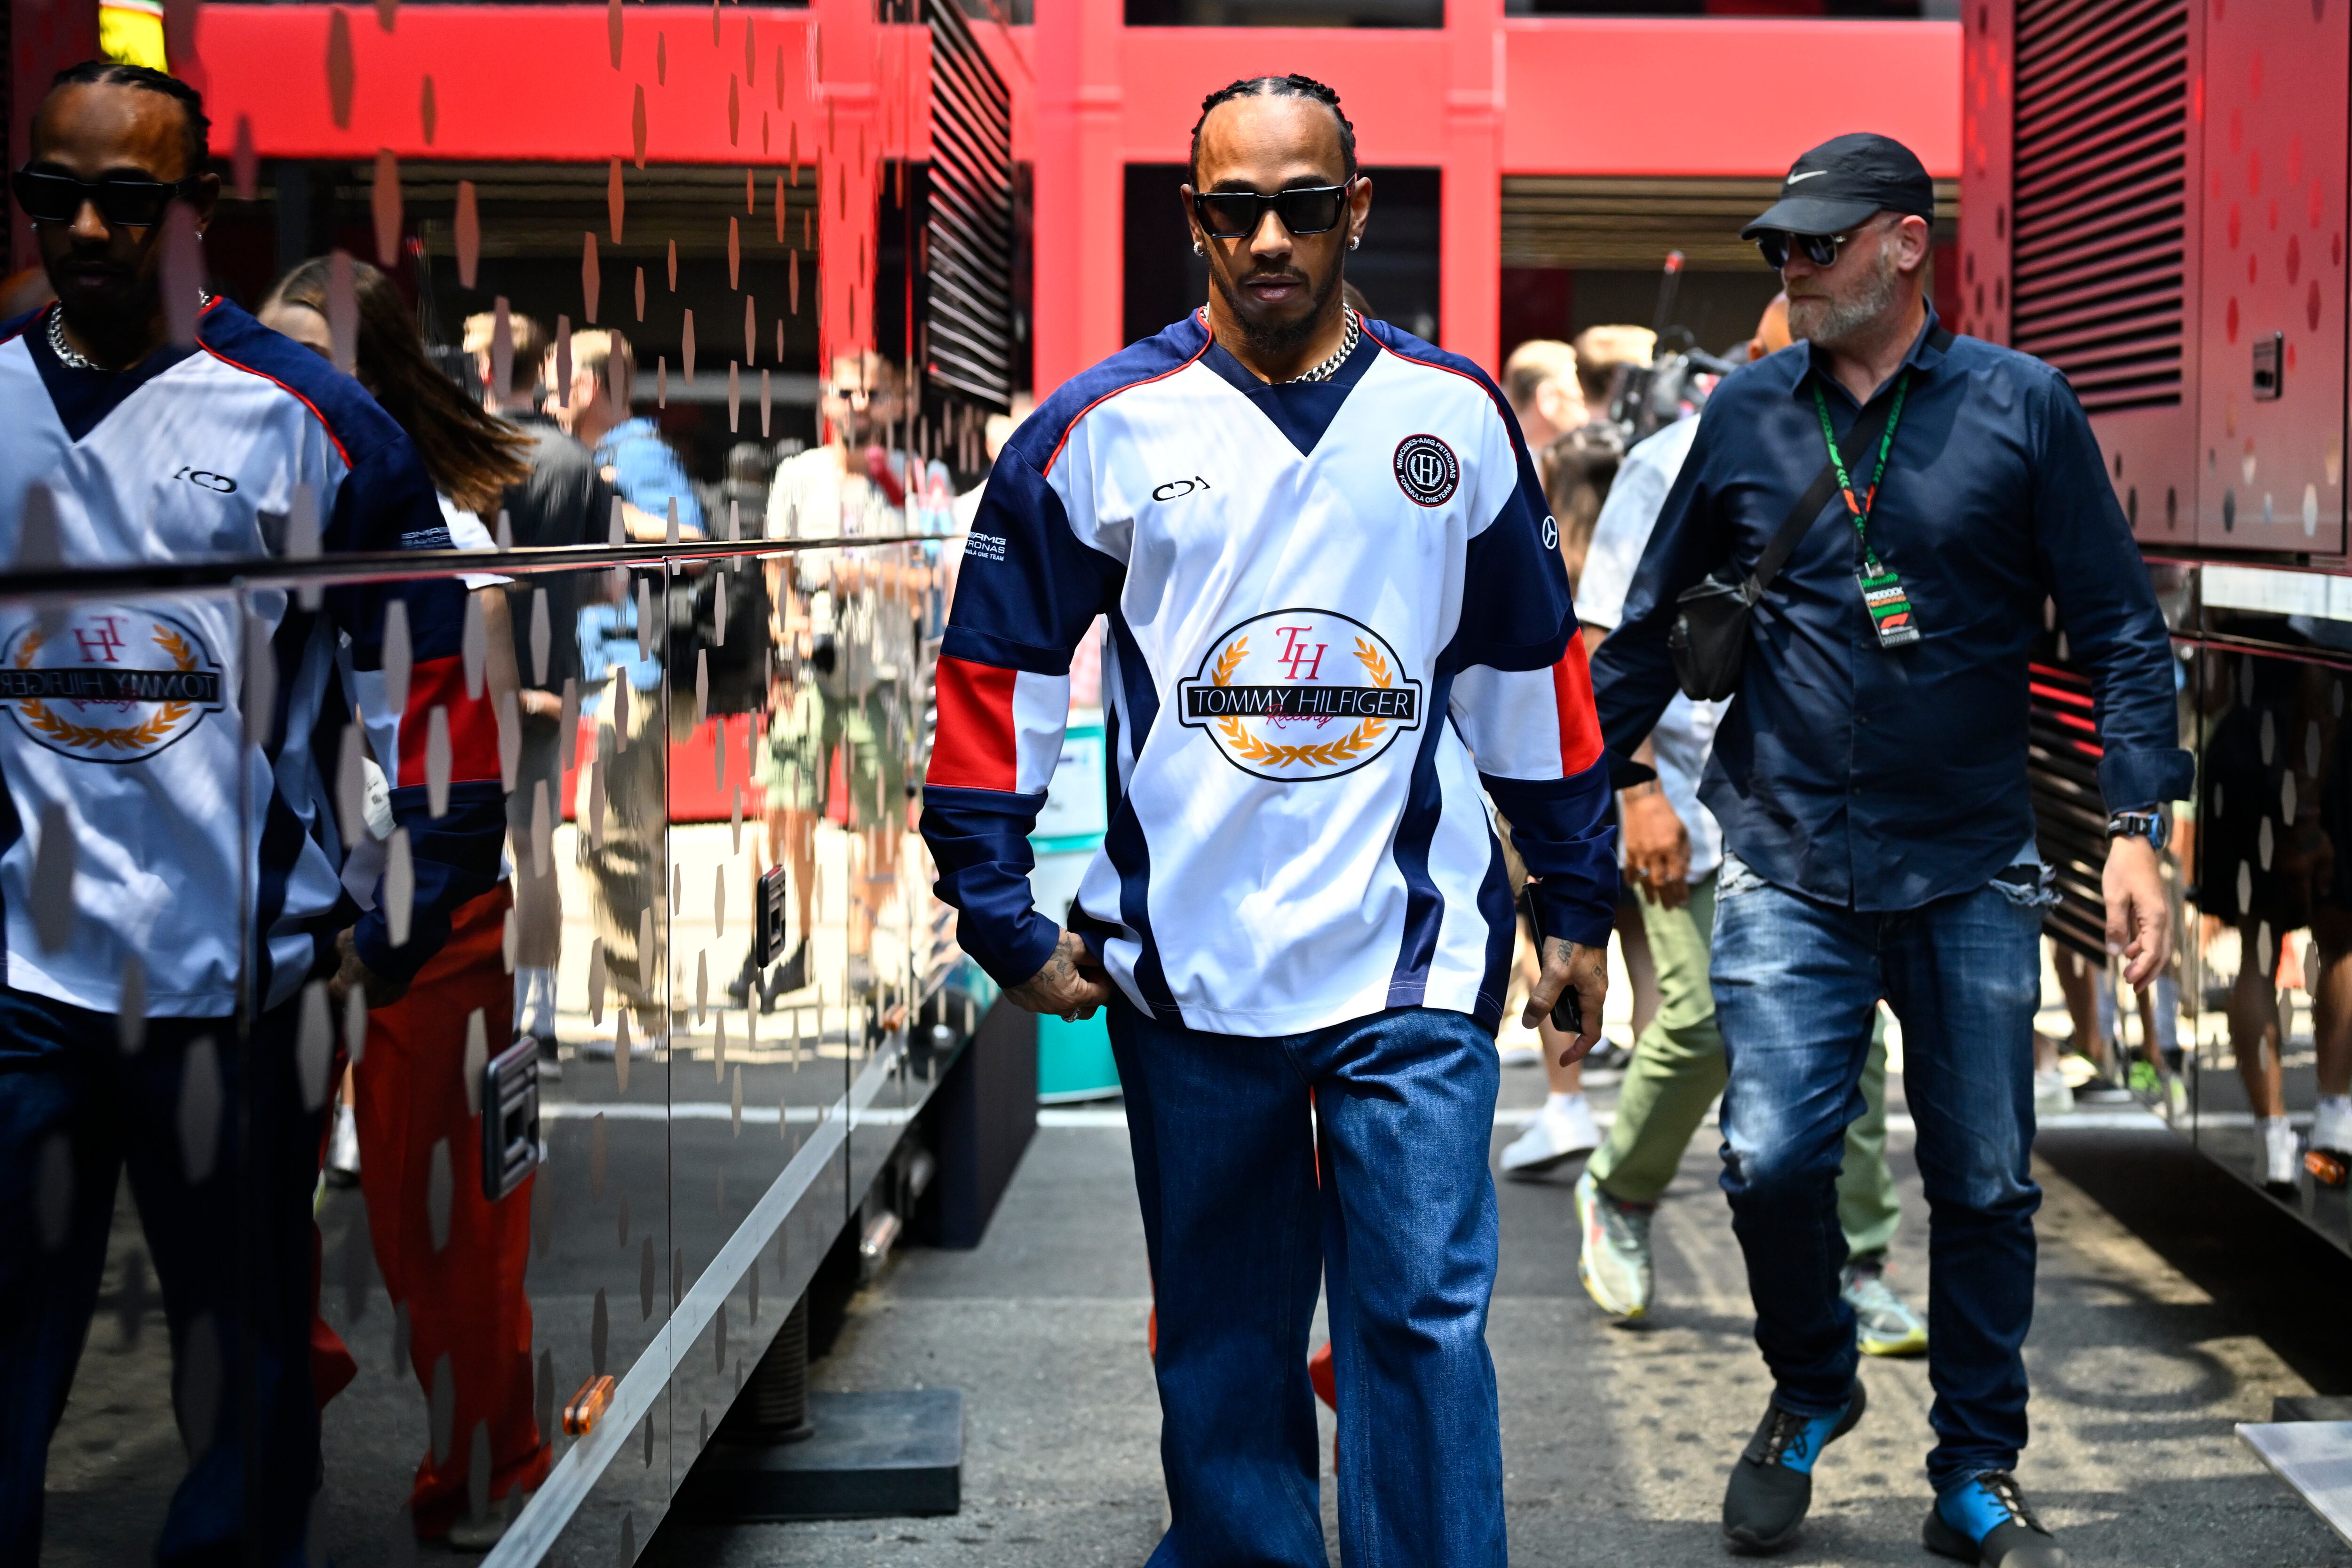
{"x": 2102, "y": 159}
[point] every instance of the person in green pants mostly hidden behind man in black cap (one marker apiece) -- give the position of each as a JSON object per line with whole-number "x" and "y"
{"x": 1673, "y": 857}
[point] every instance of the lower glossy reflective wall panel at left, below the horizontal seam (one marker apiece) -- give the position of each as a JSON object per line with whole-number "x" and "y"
{"x": 568, "y": 1003}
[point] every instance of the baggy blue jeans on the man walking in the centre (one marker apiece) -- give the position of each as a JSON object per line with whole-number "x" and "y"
{"x": 1401, "y": 1228}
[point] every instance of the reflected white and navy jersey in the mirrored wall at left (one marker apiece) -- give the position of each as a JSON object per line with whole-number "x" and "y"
{"x": 208, "y": 857}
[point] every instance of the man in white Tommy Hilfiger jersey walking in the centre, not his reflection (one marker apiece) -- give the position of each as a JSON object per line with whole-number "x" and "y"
{"x": 1337, "y": 612}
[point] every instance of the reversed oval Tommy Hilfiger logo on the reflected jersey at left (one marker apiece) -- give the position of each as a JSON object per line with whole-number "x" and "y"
{"x": 112, "y": 685}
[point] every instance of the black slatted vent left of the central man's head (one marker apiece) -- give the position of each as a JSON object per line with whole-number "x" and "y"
{"x": 970, "y": 243}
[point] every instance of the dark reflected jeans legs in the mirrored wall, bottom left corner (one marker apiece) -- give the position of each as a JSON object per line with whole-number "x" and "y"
{"x": 222, "y": 1174}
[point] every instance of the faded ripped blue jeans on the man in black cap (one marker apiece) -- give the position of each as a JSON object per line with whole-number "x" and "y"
{"x": 1796, "y": 986}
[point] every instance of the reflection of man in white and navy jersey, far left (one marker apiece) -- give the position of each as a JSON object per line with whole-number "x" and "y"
{"x": 171, "y": 850}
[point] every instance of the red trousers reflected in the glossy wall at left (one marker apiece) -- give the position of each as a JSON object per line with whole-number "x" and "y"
{"x": 465, "y": 1301}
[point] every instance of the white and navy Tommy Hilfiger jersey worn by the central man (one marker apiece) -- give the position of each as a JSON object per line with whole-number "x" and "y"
{"x": 1337, "y": 610}
